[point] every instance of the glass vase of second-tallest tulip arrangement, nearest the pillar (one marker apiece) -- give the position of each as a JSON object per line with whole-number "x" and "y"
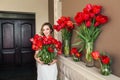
{"x": 66, "y": 47}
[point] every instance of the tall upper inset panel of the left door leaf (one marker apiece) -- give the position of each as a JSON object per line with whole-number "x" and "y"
{"x": 7, "y": 34}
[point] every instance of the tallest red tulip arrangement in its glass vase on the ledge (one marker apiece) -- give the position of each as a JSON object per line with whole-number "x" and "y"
{"x": 89, "y": 22}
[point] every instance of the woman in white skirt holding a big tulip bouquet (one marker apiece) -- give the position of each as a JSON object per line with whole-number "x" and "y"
{"x": 45, "y": 71}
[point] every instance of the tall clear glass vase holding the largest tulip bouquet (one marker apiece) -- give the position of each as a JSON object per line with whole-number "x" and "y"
{"x": 88, "y": 56}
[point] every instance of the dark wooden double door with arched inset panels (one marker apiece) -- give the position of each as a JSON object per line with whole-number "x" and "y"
{"x": 15, "y": 46}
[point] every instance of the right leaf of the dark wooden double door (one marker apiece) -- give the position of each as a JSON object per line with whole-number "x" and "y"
{"x": 26, "y": 28}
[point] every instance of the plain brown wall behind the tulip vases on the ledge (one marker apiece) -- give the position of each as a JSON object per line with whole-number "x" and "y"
{"x": 109, "y": 38}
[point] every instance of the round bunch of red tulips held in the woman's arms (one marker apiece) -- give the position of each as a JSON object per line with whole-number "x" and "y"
{"x": 47, "y": 47}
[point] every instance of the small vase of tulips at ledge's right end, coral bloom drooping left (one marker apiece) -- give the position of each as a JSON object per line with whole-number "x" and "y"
{"x": 104, "y": 60}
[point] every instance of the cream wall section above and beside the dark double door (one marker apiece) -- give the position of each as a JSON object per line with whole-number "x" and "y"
{"x": 39, "y": 7}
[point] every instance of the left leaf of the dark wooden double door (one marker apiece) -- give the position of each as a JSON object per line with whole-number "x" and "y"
{"x": 7, "y": 42}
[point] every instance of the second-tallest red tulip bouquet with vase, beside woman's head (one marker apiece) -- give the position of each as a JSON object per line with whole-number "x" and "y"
{"x": 65, "y": 25}
